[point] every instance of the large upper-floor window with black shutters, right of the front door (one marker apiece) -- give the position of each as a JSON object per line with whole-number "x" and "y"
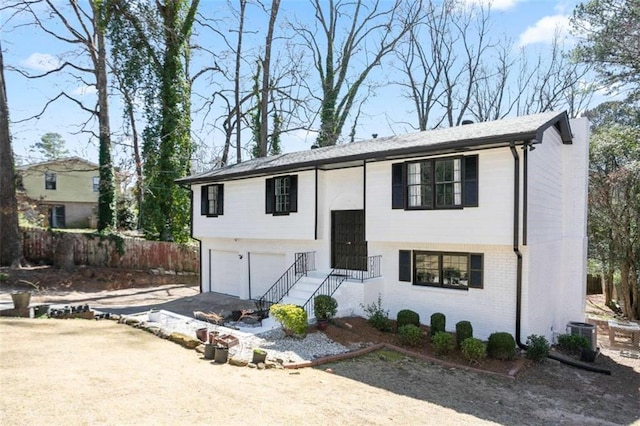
{"x": 439, "y": 183}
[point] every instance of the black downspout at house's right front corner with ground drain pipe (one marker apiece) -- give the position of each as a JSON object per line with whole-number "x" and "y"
{"x": 516, "y": 250}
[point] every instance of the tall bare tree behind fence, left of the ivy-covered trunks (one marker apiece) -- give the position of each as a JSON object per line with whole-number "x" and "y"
{"x": 83, "y": 29}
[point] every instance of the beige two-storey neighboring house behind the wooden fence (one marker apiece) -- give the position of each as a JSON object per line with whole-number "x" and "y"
{"x": 66, "y": 190}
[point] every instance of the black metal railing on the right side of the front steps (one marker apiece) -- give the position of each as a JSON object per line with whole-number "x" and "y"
{"x": 343, "y": 272}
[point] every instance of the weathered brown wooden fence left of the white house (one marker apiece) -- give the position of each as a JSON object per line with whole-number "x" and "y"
{"x": 112, "y": 251}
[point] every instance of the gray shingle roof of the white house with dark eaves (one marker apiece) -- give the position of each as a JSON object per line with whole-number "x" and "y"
{"x": 477, "y": 135}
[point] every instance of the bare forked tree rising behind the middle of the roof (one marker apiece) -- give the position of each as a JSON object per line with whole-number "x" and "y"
{"x": 344, "y": 61}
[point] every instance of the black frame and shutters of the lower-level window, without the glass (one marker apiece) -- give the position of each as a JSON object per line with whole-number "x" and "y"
{"x": 408, "y": 273}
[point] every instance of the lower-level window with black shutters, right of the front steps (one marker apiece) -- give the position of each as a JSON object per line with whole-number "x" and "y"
{"x": 442, "y": 269}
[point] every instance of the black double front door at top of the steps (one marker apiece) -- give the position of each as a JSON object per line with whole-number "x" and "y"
{"x": 348, "y": 246}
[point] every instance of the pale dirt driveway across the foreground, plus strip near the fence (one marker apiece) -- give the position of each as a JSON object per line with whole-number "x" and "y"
{"x": 101, "y": 372}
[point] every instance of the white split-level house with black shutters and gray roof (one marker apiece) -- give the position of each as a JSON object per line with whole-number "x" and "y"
{"x": 483, "y": 222}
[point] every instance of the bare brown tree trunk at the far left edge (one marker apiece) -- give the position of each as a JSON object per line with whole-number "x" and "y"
{"x": 10, "y": 240}
